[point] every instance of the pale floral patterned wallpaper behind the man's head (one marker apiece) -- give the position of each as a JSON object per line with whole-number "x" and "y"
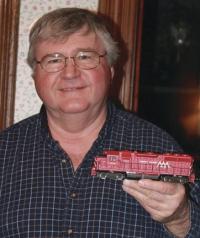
{"x": 27, "y": 102}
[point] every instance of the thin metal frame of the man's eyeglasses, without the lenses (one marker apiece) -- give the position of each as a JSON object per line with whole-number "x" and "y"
{"x": 73, "y": 58}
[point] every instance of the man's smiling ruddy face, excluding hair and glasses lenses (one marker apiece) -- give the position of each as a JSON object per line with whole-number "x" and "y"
{"x": 73, "y": 90}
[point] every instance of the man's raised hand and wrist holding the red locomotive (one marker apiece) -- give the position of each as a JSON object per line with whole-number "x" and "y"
{"x": 165, "y": 202}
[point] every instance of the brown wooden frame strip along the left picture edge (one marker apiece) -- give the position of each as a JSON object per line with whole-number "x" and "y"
{"x": 9, "y": 23}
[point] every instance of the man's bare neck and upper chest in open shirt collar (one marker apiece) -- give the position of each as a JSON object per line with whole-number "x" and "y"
{"x": 77, "y": 134}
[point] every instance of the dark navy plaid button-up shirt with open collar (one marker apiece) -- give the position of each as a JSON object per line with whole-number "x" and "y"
{"x": 42, "y": 197}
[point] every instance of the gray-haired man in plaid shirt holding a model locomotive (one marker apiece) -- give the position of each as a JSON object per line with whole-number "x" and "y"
{"x": 46, "y": 187}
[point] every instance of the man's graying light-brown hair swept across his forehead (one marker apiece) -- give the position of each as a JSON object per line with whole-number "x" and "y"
{"x": 61, "y": 23}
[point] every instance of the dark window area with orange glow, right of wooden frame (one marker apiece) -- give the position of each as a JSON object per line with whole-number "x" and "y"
{"x": 169, "y": 92}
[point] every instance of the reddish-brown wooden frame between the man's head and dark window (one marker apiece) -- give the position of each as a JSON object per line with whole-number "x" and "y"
{"x": 127, "y": 18}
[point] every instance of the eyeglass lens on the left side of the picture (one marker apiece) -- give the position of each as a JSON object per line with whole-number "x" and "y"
{"x": 53, "y": 63}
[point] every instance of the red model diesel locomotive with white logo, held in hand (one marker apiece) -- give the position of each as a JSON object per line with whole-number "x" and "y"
{"x": 135, "y": 165}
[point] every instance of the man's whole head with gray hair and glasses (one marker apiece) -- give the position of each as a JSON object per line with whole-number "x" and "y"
{"x": 72, "y": 56}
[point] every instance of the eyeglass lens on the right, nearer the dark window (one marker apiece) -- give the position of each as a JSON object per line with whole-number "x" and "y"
{"x": 87, "y": 59}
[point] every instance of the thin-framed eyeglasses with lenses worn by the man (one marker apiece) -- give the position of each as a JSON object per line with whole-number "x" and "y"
{"x": 56, "y": 62}
